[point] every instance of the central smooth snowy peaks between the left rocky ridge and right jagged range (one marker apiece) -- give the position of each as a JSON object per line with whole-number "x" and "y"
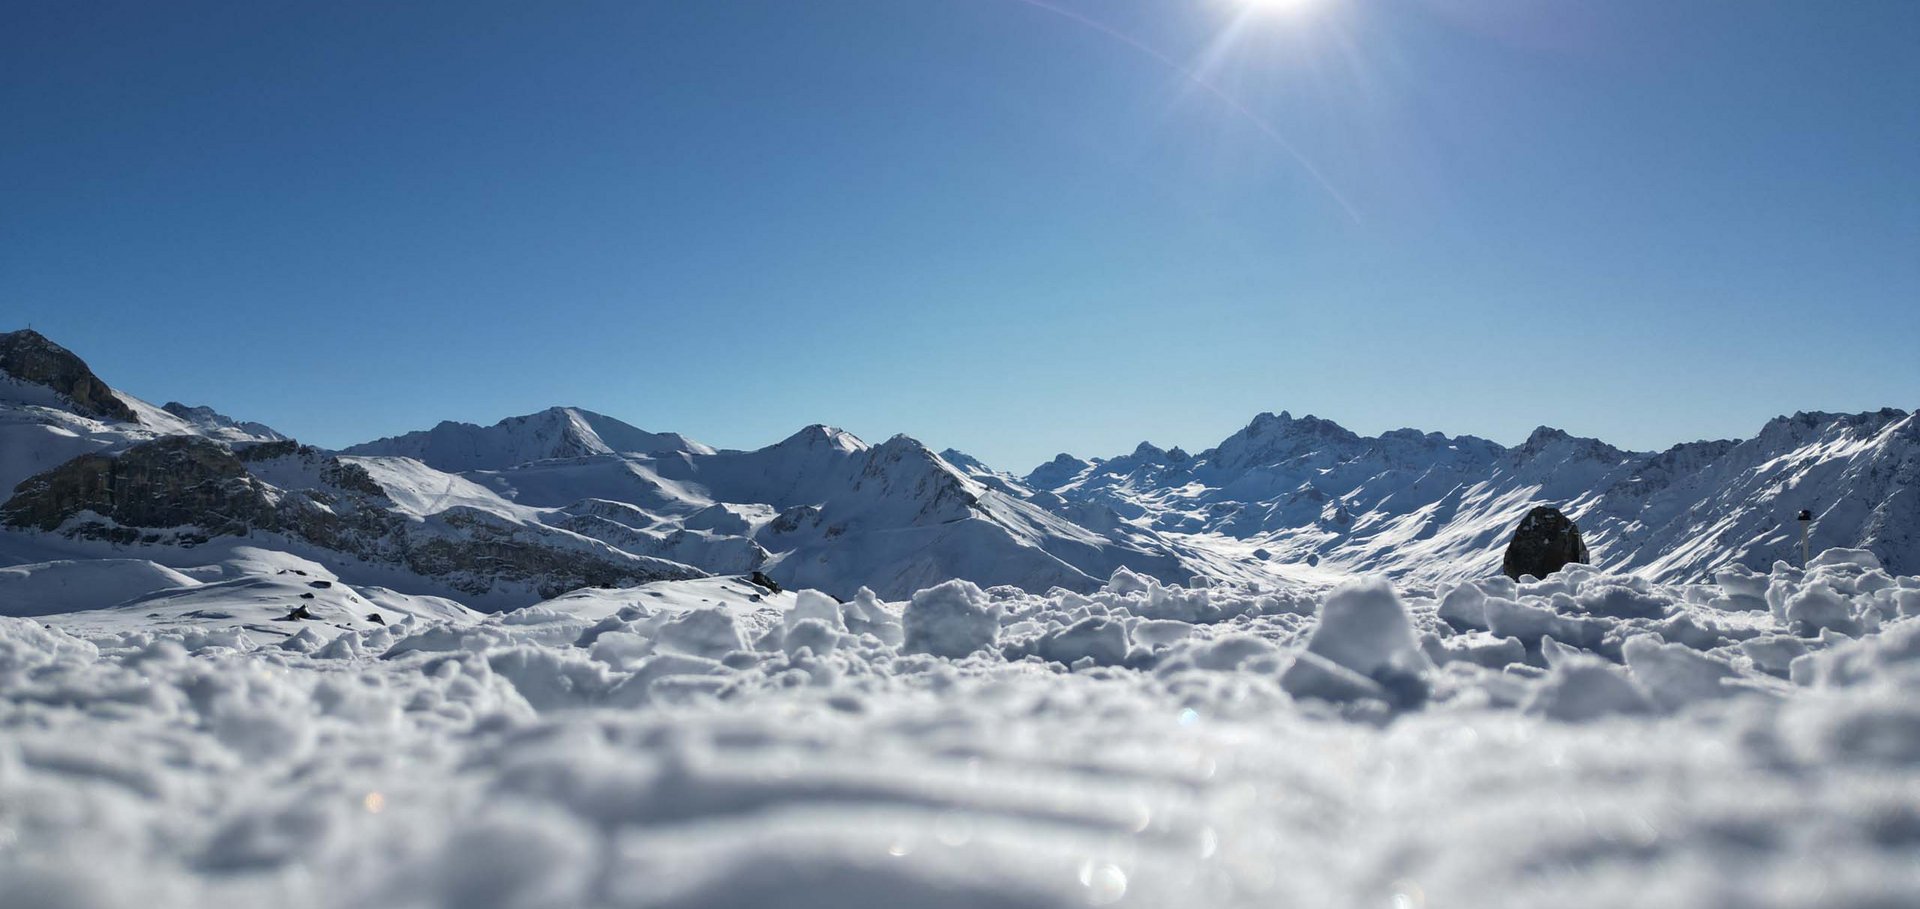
{"x": 819, "y": 510}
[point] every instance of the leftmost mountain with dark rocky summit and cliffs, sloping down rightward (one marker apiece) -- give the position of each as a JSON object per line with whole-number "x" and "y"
{"x": 95, "y": 472}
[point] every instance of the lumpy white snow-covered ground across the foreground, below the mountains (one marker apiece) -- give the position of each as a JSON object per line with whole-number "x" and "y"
{"x": 1583, "y": 741}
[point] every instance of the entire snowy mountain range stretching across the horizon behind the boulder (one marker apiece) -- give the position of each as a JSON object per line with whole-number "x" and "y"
{"x": 564, "y": 499}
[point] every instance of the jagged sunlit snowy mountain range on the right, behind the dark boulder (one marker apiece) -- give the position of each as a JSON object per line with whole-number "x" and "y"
{"x": 1439, "y": 508}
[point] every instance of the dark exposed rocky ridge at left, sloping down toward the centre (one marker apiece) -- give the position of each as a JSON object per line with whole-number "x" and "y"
{"x": 189, "y": 489}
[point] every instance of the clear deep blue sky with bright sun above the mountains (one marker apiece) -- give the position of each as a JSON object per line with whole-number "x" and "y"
{"x": 1003, "y": 226}
